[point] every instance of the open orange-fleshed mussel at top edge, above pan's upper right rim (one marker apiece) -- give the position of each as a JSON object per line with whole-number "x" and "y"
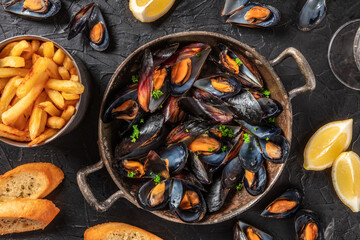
{"x": 252, "y": 15}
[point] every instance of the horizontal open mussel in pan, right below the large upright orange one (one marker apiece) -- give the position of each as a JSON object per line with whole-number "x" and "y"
{"x": 221, "y": 86}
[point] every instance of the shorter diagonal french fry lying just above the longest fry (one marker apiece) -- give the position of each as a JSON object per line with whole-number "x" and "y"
{"x": 37, "y": 74}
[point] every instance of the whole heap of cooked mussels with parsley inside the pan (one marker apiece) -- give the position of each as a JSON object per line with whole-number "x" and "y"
{"x": 194, "y": 139}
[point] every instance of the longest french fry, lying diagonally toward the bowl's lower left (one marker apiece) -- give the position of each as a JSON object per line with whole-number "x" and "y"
{"x": 12, "y": 114}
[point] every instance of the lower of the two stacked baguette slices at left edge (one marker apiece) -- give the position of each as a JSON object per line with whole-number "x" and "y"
{"x": 23, "y": 215}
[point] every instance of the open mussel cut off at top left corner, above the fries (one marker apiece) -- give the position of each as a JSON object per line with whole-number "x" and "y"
{"x": 47, "y": 9}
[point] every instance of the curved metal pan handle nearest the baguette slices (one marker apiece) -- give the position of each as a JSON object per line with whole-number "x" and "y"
{"x": 87, "y": 192}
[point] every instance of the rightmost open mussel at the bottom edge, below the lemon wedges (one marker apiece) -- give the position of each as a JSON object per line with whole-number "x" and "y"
{"x": 307, "y": 226}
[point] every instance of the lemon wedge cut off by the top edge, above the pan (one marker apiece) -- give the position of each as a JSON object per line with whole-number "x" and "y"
{"x": 150, "y": 10}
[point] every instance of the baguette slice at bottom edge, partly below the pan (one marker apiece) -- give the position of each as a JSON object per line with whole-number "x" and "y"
{"x": 117, "y": 231}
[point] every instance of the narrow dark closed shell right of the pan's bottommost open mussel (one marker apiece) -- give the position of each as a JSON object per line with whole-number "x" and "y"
{"x": 216, "y": 195}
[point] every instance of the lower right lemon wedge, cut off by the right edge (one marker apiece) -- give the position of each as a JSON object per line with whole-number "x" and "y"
{"x": 346, "y": 179}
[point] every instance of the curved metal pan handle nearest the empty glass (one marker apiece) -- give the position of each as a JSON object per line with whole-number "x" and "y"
{"x": 304, "y": 68}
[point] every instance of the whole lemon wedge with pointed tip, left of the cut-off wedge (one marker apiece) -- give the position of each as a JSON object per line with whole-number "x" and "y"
{"x": 326, "y": 144}
